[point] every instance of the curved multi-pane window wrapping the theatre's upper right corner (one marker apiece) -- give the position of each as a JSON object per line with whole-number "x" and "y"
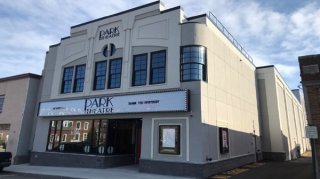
{"x": 193, "y": 63}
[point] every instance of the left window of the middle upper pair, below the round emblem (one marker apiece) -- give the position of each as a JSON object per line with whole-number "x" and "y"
{"x": 100, "y": 75}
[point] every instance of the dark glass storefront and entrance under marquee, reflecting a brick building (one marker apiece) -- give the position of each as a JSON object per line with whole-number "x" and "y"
{"x": 102, "y": 137}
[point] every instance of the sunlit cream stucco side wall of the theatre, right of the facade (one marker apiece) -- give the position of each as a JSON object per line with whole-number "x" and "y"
{"x": 228, "y": 98}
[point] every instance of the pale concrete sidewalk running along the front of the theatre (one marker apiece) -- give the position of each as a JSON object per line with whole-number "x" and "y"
{"x": 86, "y": 173}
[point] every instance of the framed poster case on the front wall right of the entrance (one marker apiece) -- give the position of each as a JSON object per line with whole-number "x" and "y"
{"x": 169, "y": 139}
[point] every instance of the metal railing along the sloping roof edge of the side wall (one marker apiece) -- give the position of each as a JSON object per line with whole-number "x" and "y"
{"x": 224, "y": 30}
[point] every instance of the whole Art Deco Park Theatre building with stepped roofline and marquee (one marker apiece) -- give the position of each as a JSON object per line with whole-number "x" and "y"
{"x": 151, "y": 87}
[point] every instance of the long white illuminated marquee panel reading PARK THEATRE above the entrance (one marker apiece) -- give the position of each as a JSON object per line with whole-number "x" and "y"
{"x": 150, "y": 102}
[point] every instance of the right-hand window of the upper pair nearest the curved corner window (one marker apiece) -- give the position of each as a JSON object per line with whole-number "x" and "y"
{"x": 158, "y": 67}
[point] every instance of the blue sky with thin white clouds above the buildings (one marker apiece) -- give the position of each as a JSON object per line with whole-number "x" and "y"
{"x": 272, "y": 31}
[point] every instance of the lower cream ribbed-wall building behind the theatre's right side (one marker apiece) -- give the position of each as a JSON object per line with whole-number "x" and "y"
{"x": 282, "y": 117}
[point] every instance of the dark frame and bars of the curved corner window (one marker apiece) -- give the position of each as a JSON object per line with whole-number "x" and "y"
{"x": 204, "y": 66}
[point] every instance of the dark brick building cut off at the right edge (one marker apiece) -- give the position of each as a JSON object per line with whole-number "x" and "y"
{"x": 310, "y": 79}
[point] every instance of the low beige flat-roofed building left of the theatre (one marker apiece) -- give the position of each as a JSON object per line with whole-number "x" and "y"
{"x": 18, "y": 96}
